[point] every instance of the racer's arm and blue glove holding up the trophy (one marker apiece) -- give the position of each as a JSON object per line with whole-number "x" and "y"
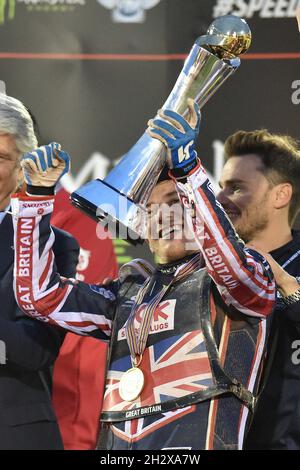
{"x": 242, "y": 276}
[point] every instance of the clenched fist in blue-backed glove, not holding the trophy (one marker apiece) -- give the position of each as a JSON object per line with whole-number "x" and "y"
{"x": 45, "y": 166}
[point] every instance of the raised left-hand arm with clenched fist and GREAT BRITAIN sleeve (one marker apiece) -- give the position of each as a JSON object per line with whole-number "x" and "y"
{"x": 39, "y": 290}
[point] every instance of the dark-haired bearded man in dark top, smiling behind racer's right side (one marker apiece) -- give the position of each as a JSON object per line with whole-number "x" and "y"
{"x": 260, "y": 191}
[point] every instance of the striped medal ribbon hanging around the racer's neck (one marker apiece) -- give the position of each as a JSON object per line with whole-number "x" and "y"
{"x": 137, "y": 340}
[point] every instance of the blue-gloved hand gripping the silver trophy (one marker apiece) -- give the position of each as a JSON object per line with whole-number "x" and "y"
{"x": 178, "y": 135}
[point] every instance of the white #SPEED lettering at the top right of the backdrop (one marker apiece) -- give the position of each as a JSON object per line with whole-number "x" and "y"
{"x": 263, "y": 8}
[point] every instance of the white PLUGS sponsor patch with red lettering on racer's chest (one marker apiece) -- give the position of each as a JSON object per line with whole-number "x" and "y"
{"x": 163, "y": 318}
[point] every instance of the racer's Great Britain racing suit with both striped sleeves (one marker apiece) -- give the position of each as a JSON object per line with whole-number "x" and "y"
{"x": 205, "y": 341}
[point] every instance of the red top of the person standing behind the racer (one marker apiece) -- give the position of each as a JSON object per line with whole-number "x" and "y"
{"x": 79, "y": 370}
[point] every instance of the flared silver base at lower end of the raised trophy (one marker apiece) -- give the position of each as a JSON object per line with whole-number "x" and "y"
{"x": 115, "y": 211}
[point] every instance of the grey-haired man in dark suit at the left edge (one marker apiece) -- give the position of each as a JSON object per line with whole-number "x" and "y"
{"x": 27, "y": 419}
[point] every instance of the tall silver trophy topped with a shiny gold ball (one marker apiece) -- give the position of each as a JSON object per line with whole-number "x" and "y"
{"x": 119, "y": 200}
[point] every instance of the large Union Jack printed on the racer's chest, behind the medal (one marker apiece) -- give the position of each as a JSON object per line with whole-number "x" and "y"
{"x": 173, "y": 368}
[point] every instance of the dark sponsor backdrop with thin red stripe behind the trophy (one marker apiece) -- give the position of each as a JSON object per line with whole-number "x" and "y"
{"x": 92, "y": 83}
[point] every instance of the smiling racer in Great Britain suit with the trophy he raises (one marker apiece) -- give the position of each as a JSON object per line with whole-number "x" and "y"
{"x": 188, "y": 336}
